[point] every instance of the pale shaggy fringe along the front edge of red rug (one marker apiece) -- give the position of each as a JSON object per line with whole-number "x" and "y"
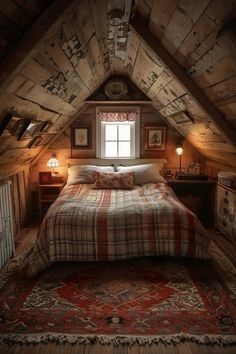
{"x": 117, "y": 340}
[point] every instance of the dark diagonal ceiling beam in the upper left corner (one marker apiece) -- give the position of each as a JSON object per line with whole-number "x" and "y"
{"x": 17, "y": 56}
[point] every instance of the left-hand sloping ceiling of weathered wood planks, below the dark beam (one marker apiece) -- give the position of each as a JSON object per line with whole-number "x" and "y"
{"x": 64, "y": 68}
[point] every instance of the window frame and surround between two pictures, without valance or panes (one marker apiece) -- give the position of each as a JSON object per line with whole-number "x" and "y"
{"x": 135, "y": 131}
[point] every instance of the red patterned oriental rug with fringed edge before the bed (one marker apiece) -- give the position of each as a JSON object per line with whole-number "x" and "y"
{"x": 144, "y": 300}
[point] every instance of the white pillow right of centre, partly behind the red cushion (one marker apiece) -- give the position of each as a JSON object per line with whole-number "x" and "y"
{"x": 146, "y": 173}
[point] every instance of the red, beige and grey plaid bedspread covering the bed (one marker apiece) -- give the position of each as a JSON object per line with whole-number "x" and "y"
{"x": 86, "y": 225}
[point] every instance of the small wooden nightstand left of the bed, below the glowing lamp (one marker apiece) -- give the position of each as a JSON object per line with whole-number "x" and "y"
{"x": 48, "y": 193}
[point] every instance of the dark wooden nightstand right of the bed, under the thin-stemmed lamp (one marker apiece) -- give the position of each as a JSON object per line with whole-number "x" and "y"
{"x": 198, "y": 196}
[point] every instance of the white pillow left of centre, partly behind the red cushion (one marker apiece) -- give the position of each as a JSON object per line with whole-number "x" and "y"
{"x": 80, "y": 174}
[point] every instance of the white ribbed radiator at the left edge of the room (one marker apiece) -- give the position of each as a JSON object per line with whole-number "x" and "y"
{"x": 7, "y": 245}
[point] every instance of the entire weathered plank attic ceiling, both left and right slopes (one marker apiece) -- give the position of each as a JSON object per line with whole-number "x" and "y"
{"x": 65, "y": 57}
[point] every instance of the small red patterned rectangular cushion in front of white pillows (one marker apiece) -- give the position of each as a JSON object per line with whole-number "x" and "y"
{"x": 114, "y": 180}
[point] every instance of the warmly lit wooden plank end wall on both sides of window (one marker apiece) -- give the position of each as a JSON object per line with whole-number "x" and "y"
{"x": 62, "y": 146}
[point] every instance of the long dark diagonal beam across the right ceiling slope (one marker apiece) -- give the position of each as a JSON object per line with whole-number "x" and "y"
{"x": 216, "y": 116}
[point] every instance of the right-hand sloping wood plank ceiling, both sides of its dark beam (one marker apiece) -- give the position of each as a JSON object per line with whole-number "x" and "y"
{"x": 200, "y": 37}
